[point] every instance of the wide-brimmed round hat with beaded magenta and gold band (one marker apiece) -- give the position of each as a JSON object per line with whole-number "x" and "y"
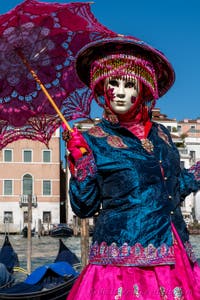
{"x": 128, "y": 57}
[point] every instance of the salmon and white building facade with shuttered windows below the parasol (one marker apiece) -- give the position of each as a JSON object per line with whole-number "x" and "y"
{"x": 29, "y": 171}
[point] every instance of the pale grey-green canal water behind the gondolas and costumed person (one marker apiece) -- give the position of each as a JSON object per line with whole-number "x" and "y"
{"x": 45, "y": 248}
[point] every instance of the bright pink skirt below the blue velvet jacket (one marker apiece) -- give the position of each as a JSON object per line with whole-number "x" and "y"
{"x": 168, "y": 282}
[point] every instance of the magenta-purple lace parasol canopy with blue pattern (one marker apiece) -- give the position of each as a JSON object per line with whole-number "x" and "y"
{"x": 48, "y": 36}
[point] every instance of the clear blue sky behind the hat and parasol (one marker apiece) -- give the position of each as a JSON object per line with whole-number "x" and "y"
{"x": 171, "y": 26}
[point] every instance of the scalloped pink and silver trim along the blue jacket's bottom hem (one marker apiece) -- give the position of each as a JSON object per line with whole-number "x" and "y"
{"x": 126, "y": 255}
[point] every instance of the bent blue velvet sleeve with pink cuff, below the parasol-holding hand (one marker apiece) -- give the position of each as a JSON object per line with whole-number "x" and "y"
{"x": 84, "y": 190}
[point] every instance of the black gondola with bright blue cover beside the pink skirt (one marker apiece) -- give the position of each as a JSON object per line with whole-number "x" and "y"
{"x": 53, "y": 281}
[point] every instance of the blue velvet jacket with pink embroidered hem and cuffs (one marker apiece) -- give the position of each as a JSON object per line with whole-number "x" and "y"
{"x": 137, "y": 195}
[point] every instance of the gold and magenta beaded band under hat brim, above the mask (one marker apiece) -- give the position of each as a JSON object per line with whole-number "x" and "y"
{"x": 118, "y": 65}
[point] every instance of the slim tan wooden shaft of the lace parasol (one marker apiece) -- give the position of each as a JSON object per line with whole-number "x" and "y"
{"x": 26, "y": 63}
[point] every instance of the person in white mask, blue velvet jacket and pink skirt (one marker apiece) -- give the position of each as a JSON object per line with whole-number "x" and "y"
{"x": 130, "y": 175}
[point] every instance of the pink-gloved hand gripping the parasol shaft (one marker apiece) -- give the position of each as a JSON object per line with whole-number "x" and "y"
{"x": 76, "y": 144}
